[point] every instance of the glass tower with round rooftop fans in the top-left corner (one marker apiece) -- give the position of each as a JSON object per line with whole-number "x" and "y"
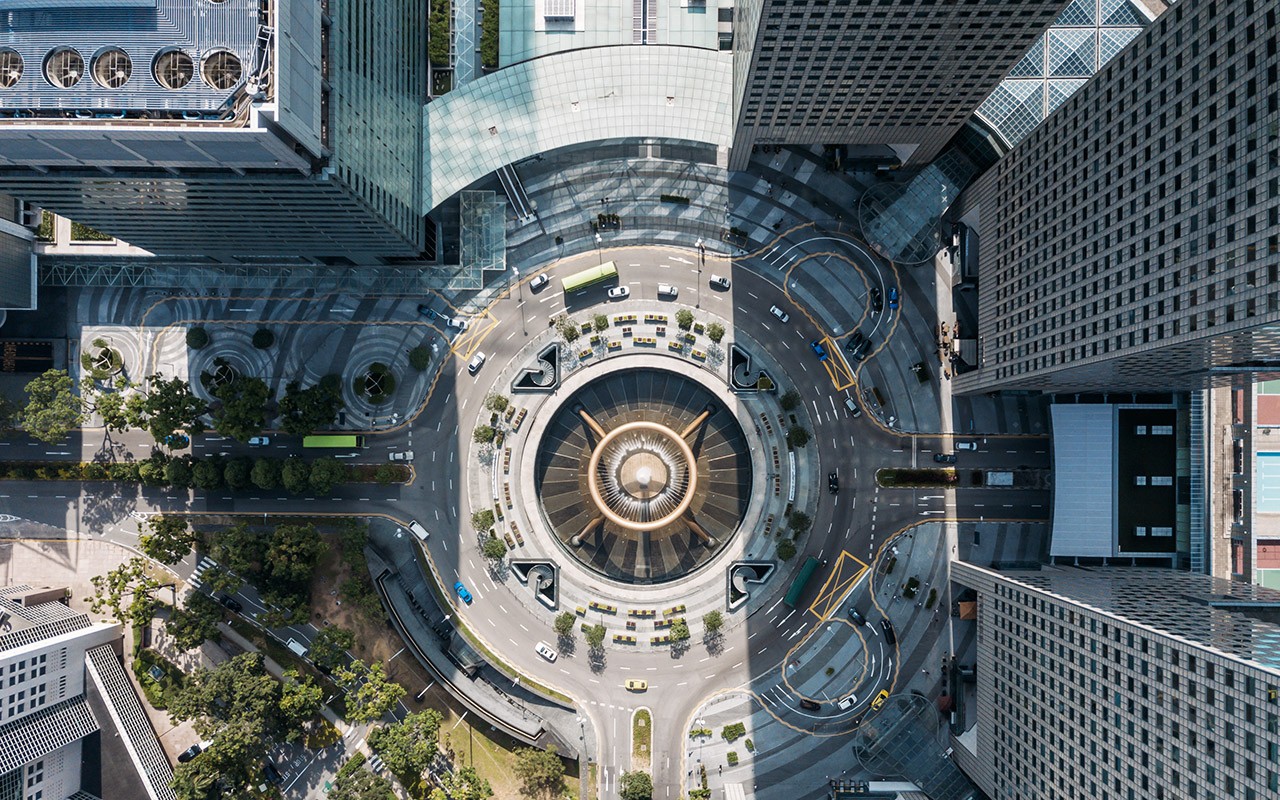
{"x": 230, "y": 130}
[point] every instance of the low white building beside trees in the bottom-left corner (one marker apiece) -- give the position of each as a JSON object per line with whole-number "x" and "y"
{"x": 70, "y": 723}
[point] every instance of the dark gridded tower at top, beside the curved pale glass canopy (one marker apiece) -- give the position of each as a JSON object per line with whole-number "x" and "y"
{"x": 904, "y": 74}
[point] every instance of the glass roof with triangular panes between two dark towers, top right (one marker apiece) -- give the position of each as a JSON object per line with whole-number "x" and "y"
{"x": 1086, "y": 36}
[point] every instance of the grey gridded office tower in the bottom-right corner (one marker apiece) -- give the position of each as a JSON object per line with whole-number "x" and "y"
{"x": 1118, "y": 683}
